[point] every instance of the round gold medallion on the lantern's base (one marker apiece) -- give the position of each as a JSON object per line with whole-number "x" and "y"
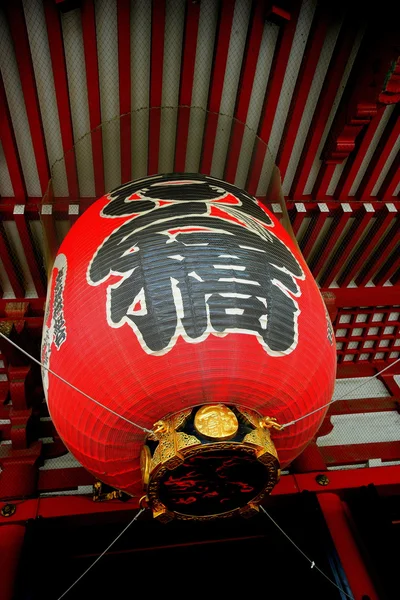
{"x": 216, "y": 421}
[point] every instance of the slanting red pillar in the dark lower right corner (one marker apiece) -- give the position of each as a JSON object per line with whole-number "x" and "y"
{"x": 356, "y": 572}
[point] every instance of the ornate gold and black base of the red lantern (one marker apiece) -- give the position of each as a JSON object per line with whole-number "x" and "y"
{"x": 209, "y": 462}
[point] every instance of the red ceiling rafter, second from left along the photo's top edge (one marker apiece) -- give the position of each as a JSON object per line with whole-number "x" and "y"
{"x": 56, "y": 46}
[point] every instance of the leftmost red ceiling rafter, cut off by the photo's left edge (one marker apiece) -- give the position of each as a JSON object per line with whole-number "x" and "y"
{"x": 10, "y": 149}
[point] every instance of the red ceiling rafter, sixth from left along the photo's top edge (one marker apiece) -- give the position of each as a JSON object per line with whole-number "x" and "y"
{"x": 186, "y": 83}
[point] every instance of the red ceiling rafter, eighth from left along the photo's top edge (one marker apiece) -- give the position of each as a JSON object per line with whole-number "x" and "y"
{"x": 246, "y": 82}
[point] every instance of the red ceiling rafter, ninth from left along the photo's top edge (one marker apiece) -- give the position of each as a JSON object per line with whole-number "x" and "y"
{"x": 271, "y": 99}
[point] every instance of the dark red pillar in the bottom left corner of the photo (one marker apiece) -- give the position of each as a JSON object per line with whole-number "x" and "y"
{"x": 11, "y": 542}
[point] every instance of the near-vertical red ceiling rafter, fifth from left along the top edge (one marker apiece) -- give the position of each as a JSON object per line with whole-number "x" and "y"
{"x": 156, "y": 79}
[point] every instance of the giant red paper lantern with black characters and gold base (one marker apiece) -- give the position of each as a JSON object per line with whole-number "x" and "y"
{"x": 180, "y": 298}
